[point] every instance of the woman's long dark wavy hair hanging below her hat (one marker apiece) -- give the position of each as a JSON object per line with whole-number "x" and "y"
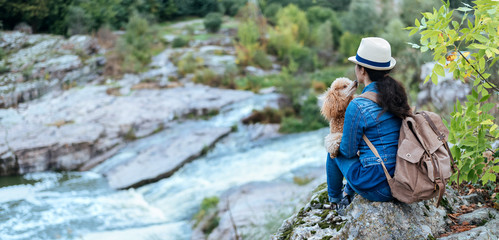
{"x": 391, "y": 94}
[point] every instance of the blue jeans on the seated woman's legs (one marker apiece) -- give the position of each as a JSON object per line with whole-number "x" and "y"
{"x": 336, "y": 169}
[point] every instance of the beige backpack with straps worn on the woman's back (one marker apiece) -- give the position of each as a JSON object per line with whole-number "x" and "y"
{"x": 423, "y": 164}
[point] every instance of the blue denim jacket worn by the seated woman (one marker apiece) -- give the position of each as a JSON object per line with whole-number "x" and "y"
{"x": 361, "y": 118}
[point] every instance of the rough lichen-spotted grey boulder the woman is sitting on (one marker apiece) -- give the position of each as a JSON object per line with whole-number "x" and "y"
{"x": 363, "y": 219}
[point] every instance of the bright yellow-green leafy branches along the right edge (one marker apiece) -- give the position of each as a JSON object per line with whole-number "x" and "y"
{"x": 473, "y": 128}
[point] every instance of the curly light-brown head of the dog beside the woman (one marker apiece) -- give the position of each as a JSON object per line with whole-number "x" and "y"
{"x": 337, "y": 98}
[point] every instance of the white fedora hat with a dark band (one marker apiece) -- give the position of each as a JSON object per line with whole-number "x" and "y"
{"x": 374, "y": 53}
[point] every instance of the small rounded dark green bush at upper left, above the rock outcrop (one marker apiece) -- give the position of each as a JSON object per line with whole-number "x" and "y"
{"x": 79, "y": 22}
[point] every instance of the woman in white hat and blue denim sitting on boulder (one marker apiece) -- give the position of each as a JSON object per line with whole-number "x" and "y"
{"x": 380, "y": 123}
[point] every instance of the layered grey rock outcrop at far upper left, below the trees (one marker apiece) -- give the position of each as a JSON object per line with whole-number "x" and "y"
{"x": 38, "y": 64}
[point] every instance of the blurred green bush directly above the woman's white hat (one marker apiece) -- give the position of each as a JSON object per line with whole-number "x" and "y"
{"x": 361, "y": 18}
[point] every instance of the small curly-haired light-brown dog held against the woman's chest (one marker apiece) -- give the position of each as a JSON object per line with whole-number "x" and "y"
{"x": 336, "y": 100}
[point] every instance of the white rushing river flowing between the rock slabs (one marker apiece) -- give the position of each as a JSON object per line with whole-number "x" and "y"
{"x": 81, "y": 205}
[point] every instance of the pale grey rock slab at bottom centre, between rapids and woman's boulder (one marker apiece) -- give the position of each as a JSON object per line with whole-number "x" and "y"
{"x": 254, "y": 210}
